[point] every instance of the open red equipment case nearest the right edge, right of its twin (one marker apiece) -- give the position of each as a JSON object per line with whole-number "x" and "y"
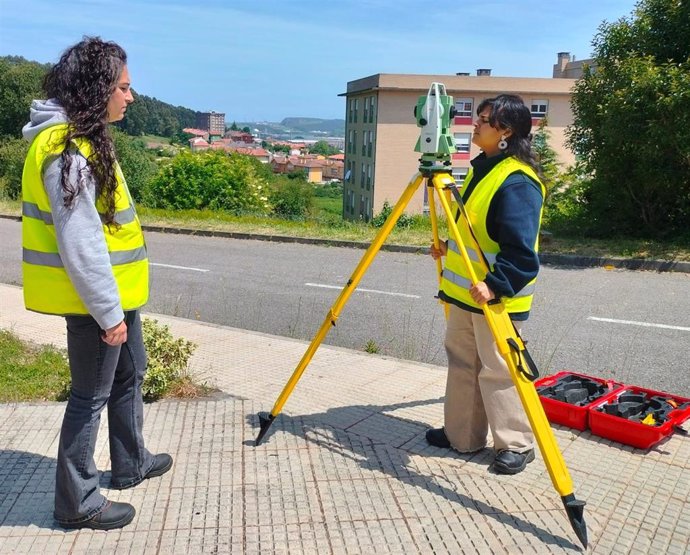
{"x": 636, "y": 434}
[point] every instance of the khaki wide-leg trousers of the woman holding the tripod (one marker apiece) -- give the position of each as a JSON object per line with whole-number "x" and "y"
{"x": 480, "y": 394}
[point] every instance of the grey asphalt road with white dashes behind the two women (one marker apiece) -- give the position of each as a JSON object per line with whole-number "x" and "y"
{"x": 633, "y": 326}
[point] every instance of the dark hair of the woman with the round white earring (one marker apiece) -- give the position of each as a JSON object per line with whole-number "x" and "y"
{"x": 508, "y": 111}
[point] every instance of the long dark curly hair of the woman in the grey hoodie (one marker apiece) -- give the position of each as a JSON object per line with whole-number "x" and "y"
{"x": 82, "y": 82}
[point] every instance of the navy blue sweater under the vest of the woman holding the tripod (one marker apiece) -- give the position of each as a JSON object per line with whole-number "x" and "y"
{"x": 513, "y": 223}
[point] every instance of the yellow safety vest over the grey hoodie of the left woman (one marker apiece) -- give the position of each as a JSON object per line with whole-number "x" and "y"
{"x": 47, "y": 287}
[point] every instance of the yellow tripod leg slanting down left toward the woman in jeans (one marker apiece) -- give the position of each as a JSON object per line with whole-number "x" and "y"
{"x": 266, "y": 419}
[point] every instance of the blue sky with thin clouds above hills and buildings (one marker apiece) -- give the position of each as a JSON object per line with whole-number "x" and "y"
{"x": 261, "y": 60}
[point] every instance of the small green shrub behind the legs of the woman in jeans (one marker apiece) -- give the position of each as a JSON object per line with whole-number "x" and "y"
{"x": 167, "y": 359}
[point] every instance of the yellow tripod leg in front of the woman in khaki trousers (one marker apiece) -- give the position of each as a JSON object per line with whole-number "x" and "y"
{"x": 515, "y": 354}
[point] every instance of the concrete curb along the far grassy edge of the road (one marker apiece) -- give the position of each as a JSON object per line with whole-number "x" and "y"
{"x": 551, "y": 259}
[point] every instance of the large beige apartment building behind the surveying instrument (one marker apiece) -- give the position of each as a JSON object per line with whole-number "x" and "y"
{"x": 381, "y": 130}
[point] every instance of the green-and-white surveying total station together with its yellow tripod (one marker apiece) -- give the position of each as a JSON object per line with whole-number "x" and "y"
{"x": 434, "y": 113}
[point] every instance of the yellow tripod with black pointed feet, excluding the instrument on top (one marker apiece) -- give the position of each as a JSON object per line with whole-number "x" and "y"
{"x": 522, "y": 369}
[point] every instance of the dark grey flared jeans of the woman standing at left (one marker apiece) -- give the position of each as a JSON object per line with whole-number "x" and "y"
{"x": 101, "y": 375}
